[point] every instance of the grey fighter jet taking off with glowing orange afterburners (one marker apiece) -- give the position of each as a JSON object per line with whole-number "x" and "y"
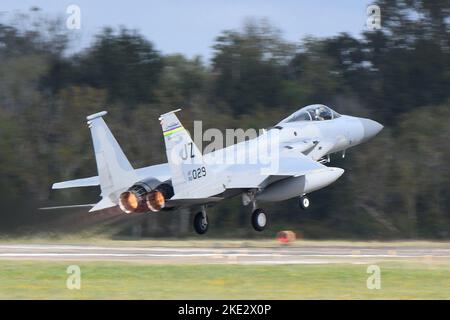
{"x": 288, "y": 161}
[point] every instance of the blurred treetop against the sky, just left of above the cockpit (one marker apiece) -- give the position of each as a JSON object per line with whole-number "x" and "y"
{"x": 247, "y": 65}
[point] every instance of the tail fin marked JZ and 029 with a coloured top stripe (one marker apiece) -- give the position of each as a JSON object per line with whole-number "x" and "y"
{"x": 185, "y": 159}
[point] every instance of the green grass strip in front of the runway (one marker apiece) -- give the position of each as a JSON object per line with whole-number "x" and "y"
{"x": 111, "y": 280}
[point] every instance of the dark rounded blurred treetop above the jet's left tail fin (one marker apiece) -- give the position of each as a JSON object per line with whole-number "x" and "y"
{"x": 123, "y": 63}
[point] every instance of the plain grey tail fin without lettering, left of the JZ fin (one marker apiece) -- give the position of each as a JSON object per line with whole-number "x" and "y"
{"x": 114, "y": 170}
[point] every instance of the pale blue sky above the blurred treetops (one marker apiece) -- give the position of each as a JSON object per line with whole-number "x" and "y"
{"x": 190, "y": 26}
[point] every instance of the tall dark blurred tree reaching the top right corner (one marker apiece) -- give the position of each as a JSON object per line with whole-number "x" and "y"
{"x": 410, "y": 55}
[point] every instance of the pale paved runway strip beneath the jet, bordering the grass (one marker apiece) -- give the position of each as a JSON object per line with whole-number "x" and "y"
{"x": 176, "y": 255}
